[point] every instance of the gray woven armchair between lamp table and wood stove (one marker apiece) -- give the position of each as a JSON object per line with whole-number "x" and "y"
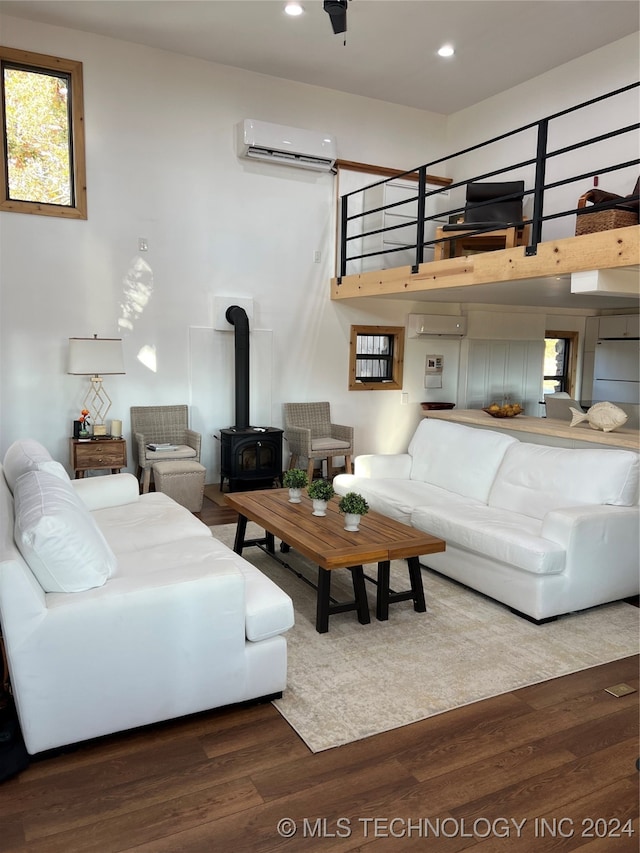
{"x": 161, "y": 425}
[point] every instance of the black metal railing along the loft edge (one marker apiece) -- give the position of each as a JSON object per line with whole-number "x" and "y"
{"x": 354, "y": 226}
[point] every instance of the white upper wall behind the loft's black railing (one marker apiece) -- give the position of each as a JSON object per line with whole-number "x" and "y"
{"x": 604, "y": 70}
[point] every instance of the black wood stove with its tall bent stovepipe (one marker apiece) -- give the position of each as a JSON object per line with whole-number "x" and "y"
{"x": 251, "y": 457}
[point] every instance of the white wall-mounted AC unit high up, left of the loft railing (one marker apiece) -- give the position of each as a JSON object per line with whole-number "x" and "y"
{"x": 291, "y": 146}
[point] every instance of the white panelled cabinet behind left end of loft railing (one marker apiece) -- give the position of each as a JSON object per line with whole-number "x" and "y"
{"x": 395, "y": 246}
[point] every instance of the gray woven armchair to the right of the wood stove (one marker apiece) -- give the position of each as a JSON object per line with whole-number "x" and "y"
{"x": 311, "y": 435}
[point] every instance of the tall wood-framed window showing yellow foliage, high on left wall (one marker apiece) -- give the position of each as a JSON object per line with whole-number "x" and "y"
{"x": 43, "y": 163}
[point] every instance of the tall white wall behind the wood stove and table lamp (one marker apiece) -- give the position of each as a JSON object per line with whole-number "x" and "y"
{"x": 162, "y": 165}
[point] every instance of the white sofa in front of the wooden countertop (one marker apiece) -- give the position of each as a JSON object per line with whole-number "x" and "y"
{"x": 546, "y": 530}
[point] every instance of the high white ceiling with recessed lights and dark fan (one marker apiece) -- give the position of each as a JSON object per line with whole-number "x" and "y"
{"x": 390, "y": 51}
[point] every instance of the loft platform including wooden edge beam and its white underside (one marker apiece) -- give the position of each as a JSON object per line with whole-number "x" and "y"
{"x": 510, "y": 276}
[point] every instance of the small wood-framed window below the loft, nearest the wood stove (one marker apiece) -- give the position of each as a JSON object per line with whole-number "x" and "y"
{"x": 376, "y": 358}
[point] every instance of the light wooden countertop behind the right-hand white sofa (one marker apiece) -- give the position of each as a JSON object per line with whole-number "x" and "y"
{"x": 622, "y": 437}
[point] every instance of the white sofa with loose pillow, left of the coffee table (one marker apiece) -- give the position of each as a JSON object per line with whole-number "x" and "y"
{"x": 119, "y": 609}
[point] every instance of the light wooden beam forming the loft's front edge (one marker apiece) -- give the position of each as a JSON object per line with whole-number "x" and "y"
{"x": 466, "y": 279}
